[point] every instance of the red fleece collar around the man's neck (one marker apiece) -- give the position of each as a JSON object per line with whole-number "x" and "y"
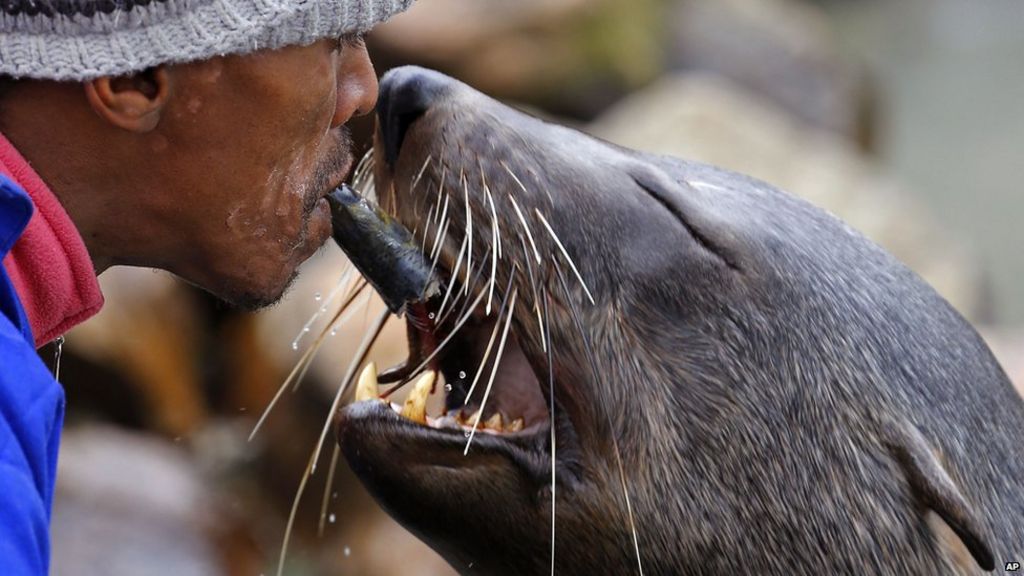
{"x": 50, "y": 266}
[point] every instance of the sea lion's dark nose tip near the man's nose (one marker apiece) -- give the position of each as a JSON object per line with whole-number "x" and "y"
{"x": 406, "y": 95}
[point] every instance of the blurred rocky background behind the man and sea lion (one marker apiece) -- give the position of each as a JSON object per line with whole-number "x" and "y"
{"x": 907, "y": 119}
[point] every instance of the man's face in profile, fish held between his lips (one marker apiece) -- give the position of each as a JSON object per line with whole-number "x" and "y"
{"x": 243, "y": 157}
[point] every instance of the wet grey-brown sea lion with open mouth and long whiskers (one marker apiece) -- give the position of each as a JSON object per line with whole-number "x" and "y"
{"x": 740, "y": 383}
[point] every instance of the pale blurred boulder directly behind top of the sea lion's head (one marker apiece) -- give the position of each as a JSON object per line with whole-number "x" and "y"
{"x": 713, "y": 120}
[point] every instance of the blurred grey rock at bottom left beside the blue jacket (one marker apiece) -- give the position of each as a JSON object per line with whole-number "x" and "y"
{"x": 129, "y": 505}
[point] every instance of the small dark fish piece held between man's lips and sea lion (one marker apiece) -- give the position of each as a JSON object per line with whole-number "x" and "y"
{"x": 382, "y": 251}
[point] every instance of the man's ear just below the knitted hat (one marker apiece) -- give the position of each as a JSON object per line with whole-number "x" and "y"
{"x": 135, "y": 103}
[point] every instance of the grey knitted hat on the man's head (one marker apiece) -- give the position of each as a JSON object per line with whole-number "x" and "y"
{"x": 87, "y": 39}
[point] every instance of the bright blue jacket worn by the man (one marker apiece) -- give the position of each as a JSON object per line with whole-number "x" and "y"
{"x": 31, "y": 417}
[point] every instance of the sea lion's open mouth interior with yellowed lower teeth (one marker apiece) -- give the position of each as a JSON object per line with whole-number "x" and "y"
{"x": 467, "y": 378}
